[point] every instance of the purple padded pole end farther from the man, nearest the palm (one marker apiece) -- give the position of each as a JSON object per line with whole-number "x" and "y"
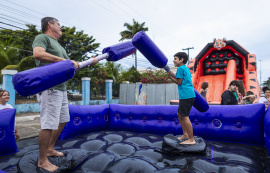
{"x": 119, "y": 51}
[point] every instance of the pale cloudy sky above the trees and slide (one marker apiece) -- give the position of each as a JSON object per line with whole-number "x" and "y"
{"x": 173, "y": 24}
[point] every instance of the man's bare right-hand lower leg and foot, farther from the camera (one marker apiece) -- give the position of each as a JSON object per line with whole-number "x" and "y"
{"x": 53, "y": 139}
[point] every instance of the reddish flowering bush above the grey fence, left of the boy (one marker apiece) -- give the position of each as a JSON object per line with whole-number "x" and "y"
{"x": 159, "y": 76}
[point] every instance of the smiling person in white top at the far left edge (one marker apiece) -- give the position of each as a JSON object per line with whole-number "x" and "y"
{"x": 4, "y": 98}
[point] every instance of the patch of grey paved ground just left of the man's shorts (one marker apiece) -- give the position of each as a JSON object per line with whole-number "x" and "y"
{"x": 28, "y": 124}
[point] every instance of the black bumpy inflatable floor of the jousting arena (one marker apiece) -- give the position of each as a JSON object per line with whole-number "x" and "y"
{"x": 128, "y": 152}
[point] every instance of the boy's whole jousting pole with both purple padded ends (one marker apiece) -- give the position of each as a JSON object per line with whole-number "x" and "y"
{"x": 156, "y": 57}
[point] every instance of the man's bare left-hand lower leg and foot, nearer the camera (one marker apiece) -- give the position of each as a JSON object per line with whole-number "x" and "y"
{"x": 44, "y": 137}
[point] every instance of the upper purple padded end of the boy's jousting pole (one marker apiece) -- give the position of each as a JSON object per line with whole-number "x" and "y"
{"x": 149, "y": 49}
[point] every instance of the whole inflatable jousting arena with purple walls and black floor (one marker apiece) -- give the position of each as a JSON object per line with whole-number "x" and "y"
{"x": 131, "y": 138}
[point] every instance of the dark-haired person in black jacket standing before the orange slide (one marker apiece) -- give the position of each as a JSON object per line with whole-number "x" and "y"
{"x": 228, "y": 97}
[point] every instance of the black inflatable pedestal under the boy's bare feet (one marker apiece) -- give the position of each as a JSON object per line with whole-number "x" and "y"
{"x": 171, "y": 145}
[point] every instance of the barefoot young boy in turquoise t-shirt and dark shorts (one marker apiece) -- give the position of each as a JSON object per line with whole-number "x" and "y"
{"x": 186, "y": 96}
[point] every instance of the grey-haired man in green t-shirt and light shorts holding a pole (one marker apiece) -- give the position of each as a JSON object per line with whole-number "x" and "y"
{"x": 53, "y": 102}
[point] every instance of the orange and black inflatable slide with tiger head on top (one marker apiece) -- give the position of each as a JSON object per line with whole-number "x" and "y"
{"x": 219, "y": 63}
